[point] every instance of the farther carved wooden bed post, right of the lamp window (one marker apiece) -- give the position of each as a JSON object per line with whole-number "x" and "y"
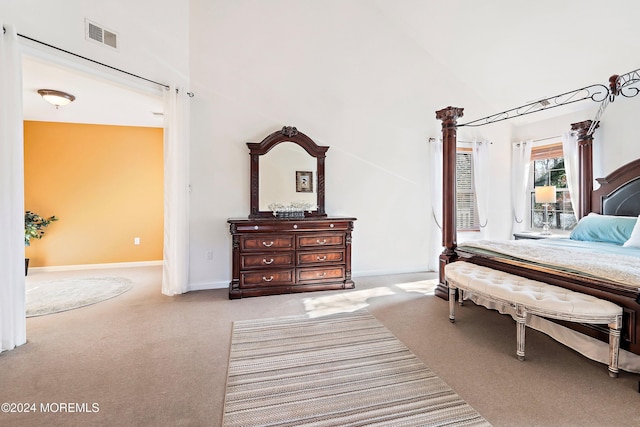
{"x": 585, "y": 166}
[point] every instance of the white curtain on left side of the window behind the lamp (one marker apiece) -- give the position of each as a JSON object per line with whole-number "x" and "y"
{"x": 520, "y": 166}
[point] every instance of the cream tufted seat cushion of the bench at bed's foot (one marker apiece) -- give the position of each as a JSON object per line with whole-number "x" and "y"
{"x": 536, "y": 296}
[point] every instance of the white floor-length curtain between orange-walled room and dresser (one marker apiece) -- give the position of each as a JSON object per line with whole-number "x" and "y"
{"x": 175, "y": 274}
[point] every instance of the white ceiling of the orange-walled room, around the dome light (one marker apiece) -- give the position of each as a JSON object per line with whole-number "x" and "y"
{"x": 98, "y": 100}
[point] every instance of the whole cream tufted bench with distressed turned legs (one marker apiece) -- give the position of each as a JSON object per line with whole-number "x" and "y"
{"x": 530, "y": 297}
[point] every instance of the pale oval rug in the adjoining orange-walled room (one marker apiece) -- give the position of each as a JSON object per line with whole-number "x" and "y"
{"x": 67, "y": 294}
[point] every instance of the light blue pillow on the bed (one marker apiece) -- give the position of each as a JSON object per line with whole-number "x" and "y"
{"x": 604, "y": 228}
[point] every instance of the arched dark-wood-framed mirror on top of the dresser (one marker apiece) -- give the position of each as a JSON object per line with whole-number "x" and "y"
{"x": 287, "y": 175}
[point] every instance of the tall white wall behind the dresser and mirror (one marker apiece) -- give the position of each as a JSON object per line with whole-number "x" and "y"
{"x": 342, "y": 74}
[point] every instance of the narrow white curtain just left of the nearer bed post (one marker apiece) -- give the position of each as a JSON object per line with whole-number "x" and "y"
{"x": 435, "y": 165}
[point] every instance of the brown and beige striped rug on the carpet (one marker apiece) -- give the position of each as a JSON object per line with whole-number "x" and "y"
{"x": 345, "y": 369}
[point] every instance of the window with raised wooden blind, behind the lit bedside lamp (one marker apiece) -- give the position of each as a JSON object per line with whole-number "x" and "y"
{"x": 547, "y": 168}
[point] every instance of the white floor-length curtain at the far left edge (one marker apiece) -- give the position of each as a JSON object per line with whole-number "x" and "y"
{"x": 13, "y": 331}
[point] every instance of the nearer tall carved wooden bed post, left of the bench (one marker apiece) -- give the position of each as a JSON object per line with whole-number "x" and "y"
{"x": 449, "y": 117}
